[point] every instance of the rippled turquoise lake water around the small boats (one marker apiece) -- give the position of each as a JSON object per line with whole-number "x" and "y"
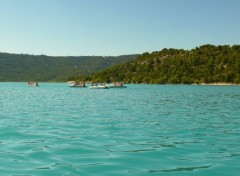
{"x": 142, "y": 130}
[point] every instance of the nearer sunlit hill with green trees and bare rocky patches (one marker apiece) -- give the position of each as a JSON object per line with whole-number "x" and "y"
{"x": 205, "y": 64}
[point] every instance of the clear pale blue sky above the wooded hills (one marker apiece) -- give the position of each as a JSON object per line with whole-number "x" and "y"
{"x": 115, "y": 27}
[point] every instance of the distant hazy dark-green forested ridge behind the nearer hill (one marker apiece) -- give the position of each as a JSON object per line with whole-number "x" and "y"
{"x": 22, "y": 67}
